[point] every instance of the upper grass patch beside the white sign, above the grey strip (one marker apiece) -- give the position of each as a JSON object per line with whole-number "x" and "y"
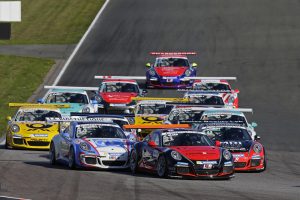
{"x": 53, "y": 21}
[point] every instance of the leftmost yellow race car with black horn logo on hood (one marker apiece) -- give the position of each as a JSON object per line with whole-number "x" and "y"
{"x": 28, "y": 128}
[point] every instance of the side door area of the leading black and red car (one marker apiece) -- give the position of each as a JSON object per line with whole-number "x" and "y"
{"x": 150, "y": 153}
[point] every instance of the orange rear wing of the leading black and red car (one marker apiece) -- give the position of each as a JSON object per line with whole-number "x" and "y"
{"x": 156, "y": 126}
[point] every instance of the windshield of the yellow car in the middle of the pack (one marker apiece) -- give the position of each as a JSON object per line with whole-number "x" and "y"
{"x": 148, "y": 109}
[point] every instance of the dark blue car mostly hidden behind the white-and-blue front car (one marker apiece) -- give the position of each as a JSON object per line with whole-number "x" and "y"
{"x": 121, "y": 120}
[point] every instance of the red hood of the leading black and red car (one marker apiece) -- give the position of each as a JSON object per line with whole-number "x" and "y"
{"x": 199, "y": 152}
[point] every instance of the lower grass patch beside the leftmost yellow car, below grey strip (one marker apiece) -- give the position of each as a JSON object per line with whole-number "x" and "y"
{"x": 19, "y": 78}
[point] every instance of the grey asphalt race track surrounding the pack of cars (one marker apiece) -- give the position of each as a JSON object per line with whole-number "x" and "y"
{"x": 257, "y": 41}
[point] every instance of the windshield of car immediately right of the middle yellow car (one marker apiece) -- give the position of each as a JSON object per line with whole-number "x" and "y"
{"x": 178, "y": 116}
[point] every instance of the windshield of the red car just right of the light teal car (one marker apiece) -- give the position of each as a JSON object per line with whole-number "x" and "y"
{"x": 119, "y": 87}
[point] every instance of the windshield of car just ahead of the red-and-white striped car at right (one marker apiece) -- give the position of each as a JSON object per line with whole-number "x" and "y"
{"x": 206, "y": 100}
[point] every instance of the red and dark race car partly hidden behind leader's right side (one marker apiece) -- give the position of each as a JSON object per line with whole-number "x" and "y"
{"x": 248, "y": 154}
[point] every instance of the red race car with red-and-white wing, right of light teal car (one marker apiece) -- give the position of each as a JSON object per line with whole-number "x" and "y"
{"x": 114, "y": 95}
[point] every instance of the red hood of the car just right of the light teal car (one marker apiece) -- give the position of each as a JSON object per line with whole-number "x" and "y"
{"x": 118, "y": 97}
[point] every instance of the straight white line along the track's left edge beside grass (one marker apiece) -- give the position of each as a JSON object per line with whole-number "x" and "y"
{"x": 80, "y": 43}
